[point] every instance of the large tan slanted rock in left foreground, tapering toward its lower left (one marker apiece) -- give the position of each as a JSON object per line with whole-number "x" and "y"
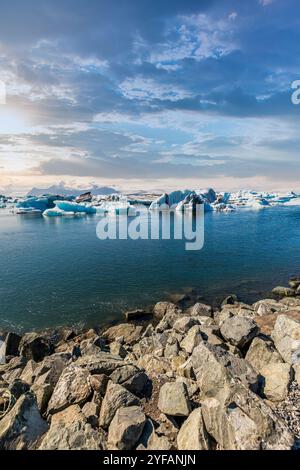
{"x": 73, "y": 387}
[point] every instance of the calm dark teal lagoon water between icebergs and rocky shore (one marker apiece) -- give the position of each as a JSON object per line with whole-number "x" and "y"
{"x": 56, "y": 272}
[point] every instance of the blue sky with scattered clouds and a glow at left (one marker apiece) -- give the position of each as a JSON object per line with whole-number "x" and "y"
{"x": 149, "y": 95}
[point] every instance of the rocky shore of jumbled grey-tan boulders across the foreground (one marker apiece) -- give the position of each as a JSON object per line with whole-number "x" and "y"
{"x": 183, "y": 376}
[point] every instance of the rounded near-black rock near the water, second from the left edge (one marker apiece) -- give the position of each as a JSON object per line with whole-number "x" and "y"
{"x": 36, "y": 347}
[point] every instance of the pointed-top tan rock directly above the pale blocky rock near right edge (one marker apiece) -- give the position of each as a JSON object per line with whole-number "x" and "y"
{"x": 261, "y": 353}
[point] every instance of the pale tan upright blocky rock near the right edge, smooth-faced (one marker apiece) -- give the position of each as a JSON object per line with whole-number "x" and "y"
{"x": 277, "y": 379}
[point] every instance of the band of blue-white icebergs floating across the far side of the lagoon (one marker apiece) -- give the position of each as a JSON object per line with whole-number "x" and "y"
{"x": 58, "y": 206}
